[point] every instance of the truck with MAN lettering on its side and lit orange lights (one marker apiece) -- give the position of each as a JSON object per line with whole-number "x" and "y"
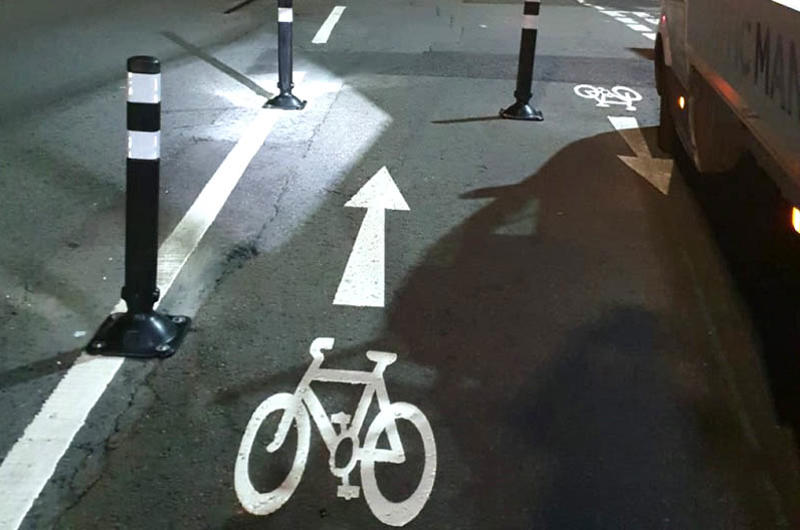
{"x": 728, "y": 72}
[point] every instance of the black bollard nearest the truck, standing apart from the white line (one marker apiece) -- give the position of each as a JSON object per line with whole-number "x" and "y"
{"x": 521, "y": 109}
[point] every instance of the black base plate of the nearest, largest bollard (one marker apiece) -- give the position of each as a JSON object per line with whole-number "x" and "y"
{"x": 142, "y": 335}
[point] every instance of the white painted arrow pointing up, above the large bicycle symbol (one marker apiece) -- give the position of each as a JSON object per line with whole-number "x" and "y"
{"x": 363, "y": 281}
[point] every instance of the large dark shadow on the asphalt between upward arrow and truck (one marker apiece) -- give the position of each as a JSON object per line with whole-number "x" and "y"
{"x": 572, "y": 387}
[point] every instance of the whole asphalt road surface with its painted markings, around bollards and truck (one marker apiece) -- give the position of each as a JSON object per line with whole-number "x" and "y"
{"x": 587, "y": 334}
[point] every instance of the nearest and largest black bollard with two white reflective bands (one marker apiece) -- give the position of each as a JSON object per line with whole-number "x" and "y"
{"x": 141, "y": 331}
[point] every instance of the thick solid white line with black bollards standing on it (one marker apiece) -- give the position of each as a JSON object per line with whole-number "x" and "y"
{"x": 33, "y": 459}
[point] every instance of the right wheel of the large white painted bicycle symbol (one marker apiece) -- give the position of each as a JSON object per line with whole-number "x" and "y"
{"x": 389, "y": 512}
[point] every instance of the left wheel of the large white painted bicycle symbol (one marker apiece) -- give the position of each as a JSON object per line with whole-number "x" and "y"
{"x": 266, "y": 502}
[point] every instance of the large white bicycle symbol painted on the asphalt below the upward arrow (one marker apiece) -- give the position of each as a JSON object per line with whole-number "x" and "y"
{"x": 295, "y": 409}
